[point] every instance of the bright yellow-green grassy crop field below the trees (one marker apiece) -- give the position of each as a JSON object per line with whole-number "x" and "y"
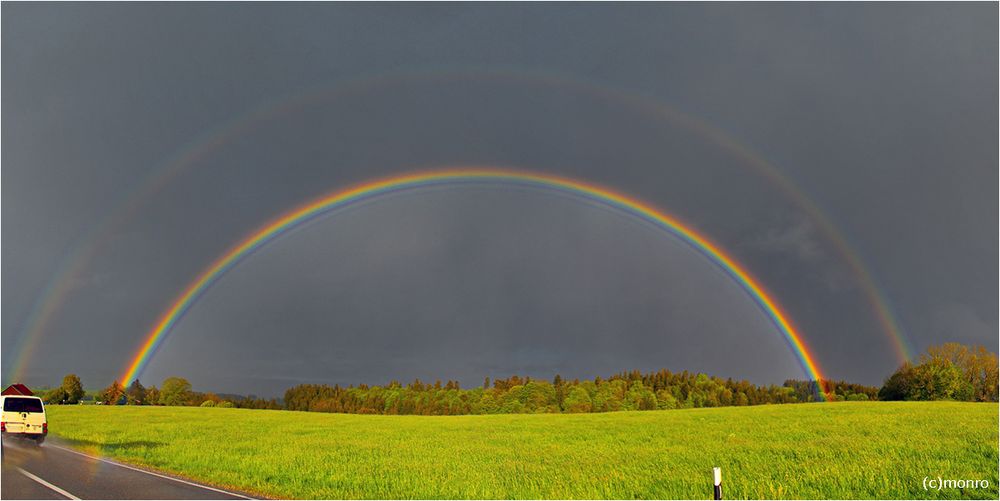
{"x": 837, "y": 450}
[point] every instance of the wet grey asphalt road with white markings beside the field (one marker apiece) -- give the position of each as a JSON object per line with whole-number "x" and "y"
{"x": 53, "y": 471}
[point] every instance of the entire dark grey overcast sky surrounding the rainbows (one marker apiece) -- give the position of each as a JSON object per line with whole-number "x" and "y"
{"x": 885, "y": 116}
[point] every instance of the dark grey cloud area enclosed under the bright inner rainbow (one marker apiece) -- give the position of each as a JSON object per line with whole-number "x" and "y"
{"x": 472, "y": 283}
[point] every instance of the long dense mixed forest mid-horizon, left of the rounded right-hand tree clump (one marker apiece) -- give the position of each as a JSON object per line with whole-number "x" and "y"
{"x": 513, "y": 395}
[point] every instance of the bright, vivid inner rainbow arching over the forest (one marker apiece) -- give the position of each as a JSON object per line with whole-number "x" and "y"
{"x": 339, "y": 199}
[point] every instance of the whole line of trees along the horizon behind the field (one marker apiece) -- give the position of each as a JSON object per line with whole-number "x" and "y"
{"x": 947, "y": 372}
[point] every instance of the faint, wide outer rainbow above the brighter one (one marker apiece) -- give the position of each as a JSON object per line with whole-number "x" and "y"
{"x": 60, "y": 286}
